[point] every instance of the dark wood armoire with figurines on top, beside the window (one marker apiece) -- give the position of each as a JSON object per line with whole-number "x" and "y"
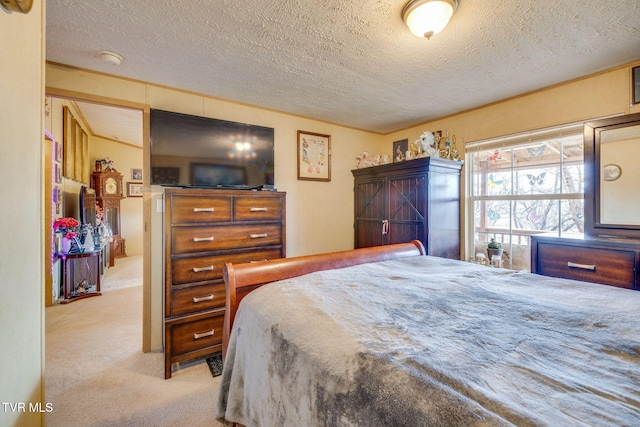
{"x": 416, "y": 199}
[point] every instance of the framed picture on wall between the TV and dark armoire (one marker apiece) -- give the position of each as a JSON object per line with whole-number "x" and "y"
{"x": 314, "y": 156}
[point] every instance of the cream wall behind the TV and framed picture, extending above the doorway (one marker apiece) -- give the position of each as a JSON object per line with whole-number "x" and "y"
{"x": 319, "y": 214}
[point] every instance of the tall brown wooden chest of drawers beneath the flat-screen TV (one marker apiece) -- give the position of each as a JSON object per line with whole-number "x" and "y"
{"x": 203, "y": 230}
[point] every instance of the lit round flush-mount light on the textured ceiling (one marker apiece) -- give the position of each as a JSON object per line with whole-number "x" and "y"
{"x": 426, "y": 18}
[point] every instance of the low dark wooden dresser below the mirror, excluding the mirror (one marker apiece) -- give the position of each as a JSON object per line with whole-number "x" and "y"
{"x": 607, "y": 261}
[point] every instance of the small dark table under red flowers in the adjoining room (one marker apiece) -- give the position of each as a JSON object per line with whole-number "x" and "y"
{"x": 81, "y": 273}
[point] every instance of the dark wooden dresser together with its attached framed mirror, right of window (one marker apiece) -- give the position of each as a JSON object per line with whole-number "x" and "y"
{"x": 609, "y": 250}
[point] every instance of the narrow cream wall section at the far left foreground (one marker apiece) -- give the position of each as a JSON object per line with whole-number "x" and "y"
{"x": 21, "y": 254}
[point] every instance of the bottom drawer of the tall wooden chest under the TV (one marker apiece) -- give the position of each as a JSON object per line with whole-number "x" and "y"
{"x": 197, "y": 334}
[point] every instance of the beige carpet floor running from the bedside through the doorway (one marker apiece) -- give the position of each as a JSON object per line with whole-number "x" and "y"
{"x": 97, "y": 375}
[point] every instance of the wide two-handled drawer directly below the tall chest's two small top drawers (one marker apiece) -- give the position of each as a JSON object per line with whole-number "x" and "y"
{"x": 210, "y": 238}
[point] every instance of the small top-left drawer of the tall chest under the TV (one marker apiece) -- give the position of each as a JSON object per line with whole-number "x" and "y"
{"x": 186, "y": 209}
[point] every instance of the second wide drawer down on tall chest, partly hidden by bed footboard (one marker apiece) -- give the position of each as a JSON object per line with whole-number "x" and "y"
{"x": 203, "y": 268}
